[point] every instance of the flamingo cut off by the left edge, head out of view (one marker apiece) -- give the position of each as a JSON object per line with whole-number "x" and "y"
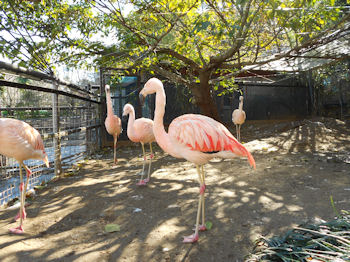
{"x": 22, "y": 142}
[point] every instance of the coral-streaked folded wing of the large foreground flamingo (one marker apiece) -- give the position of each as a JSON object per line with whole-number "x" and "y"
{"x": 202, "y": 133}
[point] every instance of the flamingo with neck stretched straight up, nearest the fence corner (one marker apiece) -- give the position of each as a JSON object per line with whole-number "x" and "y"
{"x": 113, "y": 123}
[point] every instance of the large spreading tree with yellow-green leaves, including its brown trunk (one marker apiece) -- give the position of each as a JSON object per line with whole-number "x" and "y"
{"x": 202, "y": 45}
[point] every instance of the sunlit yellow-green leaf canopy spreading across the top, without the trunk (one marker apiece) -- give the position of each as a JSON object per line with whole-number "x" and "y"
{"x": 197, "y": 30}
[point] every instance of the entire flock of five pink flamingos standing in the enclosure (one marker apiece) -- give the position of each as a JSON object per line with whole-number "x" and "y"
{"x": 194, "y": 137}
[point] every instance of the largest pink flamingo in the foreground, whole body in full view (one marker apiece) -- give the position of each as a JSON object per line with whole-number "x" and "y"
{"x": 196, "y": 138}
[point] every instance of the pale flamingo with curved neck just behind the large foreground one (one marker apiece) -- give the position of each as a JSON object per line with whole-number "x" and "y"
{"x": 140, "y": 130}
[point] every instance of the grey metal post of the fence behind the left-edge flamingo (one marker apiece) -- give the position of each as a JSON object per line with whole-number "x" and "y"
{"x": 55, "y": 129}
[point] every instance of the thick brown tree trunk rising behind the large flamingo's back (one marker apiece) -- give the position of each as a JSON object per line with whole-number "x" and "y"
{"x": 203, "y": 97}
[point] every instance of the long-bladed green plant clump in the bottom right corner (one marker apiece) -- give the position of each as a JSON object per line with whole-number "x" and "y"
{"x": 329, "y": 241}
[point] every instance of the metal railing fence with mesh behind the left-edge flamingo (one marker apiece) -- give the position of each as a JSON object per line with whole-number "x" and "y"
{"x": 66, "y": 116}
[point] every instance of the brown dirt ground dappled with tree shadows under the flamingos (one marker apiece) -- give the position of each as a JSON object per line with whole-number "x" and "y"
{"x": 300, "y": 164}
